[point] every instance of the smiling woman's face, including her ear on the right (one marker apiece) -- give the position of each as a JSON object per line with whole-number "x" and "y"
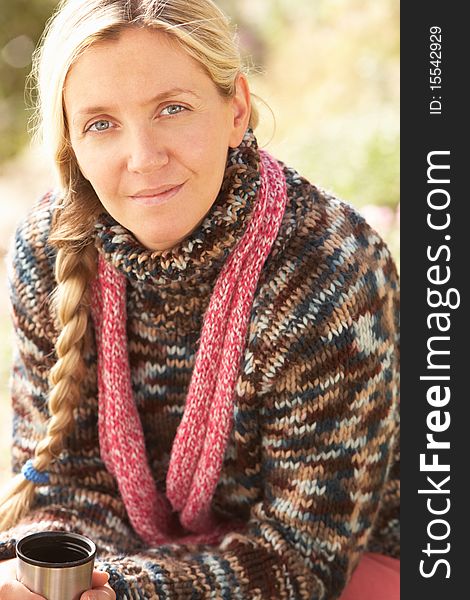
{"x": 151, "y": 132}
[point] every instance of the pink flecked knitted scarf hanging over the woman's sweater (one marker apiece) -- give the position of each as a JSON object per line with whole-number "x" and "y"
{"x": 201, "y": 439}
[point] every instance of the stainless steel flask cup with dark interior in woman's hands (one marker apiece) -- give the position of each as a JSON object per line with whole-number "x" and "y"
{"x": 56, "y": 565}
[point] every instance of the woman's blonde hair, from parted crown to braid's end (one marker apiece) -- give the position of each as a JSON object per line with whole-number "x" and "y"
{"x": 204, "y": 32}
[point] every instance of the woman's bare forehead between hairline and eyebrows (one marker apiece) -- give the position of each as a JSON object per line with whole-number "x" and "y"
{"x": 127, "y": 66}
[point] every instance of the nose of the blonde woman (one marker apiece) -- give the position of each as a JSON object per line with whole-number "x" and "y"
{"x": 145, "y": 152}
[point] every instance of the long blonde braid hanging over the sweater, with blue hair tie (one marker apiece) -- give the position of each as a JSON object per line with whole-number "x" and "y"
{"x": 74, "y": 270}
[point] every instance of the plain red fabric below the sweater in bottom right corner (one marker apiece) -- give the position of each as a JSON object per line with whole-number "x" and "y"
{"x": 376, "y": 577}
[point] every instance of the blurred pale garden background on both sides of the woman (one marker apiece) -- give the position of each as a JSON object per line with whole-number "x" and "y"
{"x": 328, "y": 70}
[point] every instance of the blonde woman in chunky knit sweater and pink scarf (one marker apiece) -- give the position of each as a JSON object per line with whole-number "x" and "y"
{"x": 206, "y": 375}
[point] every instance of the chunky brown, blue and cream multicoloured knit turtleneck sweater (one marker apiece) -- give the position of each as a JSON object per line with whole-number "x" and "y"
{"x": 311, "y": 467}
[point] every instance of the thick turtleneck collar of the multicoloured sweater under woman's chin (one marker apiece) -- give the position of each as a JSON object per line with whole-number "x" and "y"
{"x": 201, "y": 254}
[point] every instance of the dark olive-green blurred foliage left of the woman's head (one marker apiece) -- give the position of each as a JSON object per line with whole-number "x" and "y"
{"x": 22, "y": 24}
